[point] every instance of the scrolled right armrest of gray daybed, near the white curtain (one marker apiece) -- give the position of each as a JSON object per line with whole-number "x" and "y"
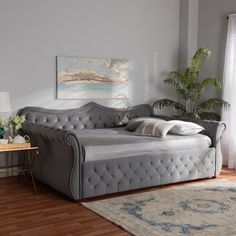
{"x": 213, "y": 129}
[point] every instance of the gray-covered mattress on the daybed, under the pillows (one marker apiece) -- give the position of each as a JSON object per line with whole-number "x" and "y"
{"x": 103, "y": 144}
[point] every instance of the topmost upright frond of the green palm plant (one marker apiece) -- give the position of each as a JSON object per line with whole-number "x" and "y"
{"x": 199, "y": 58}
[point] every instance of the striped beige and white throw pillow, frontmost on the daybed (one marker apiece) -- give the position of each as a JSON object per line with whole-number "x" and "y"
{"x": 157, "y": 128}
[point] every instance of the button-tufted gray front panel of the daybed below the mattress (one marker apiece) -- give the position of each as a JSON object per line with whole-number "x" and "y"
{"x": 108, "y": 176}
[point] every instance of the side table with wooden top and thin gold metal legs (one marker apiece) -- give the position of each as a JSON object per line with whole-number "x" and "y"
{"x": 27, "y": 158}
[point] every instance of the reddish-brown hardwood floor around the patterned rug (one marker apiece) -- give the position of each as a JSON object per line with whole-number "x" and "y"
{"x": 24, "y": 213}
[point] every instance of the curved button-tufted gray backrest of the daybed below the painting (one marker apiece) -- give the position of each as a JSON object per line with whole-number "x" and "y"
{"x": 89, "y": 116}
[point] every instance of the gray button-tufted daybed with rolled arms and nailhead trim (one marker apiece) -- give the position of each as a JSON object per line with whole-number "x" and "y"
{"x": 86, "y": 152}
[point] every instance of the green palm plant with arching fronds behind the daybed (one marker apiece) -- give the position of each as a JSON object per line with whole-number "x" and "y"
{"x": 190, "y": 89}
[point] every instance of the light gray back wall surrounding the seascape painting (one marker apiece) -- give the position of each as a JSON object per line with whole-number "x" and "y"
{"x": 34, "y": 32}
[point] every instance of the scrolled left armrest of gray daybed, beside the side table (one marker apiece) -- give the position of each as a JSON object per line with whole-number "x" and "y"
{"x": 59, "y": 160}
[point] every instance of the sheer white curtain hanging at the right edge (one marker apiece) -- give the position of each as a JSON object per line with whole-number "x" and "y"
{"x": 229, "y": 94}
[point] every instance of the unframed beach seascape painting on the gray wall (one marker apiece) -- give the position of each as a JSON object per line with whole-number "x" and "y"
{"x": 91, "y": 78}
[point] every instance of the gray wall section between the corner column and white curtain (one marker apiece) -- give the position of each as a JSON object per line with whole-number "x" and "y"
{"x": 212, "y": 29}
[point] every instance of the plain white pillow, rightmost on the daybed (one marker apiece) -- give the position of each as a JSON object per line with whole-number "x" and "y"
{"x": 184, "y": 127}
